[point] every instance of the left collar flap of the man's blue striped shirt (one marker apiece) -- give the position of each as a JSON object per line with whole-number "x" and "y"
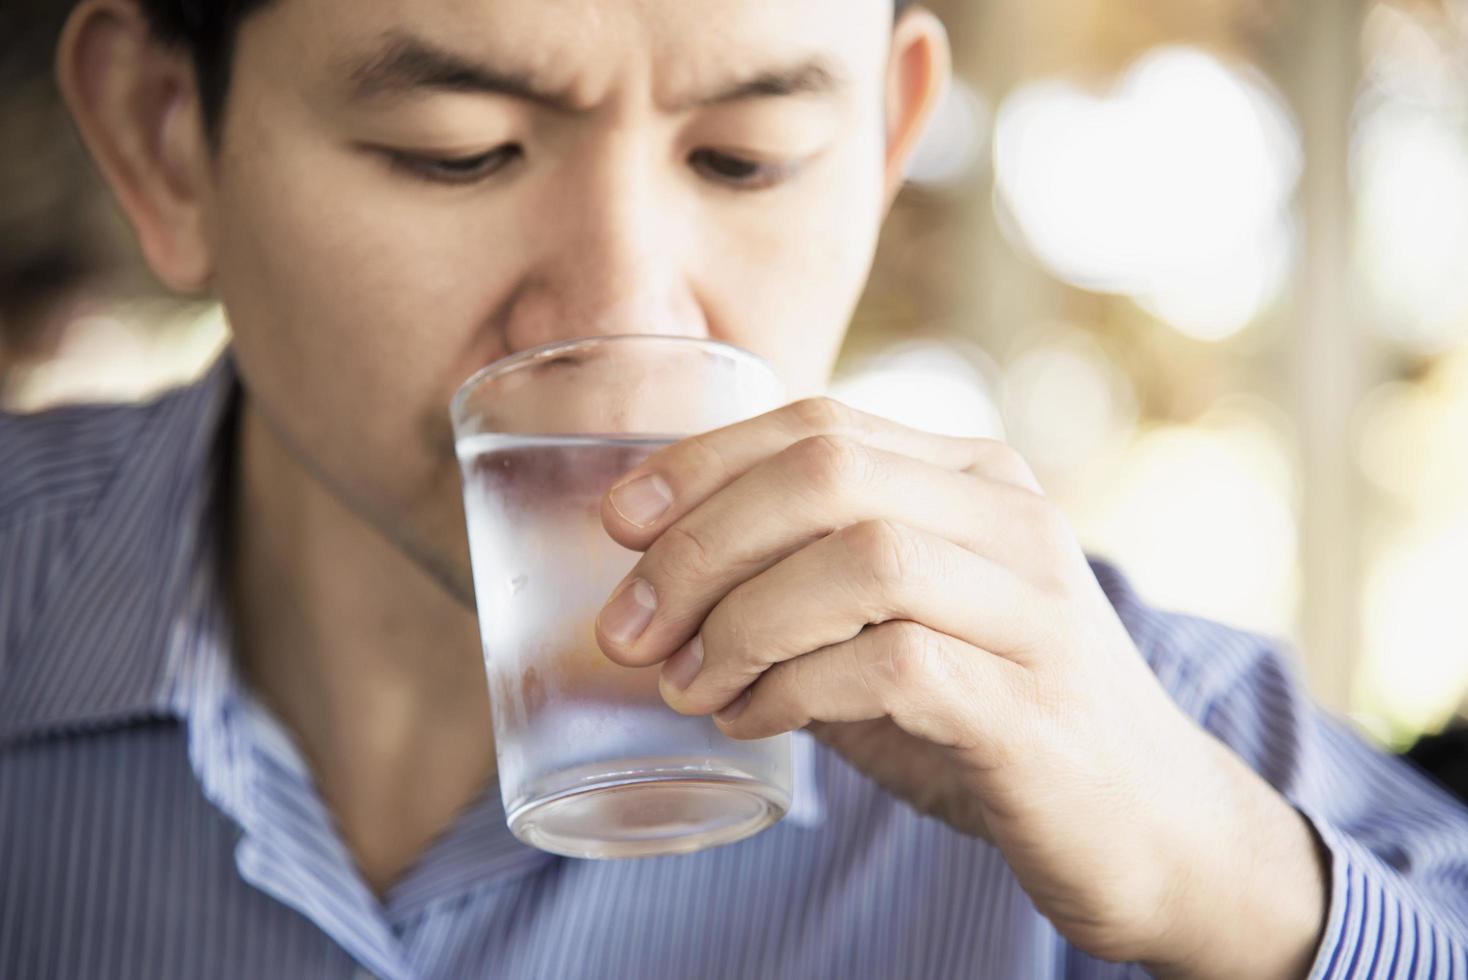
{"x": 99, "y": 646}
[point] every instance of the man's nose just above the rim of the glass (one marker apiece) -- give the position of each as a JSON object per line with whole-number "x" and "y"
{"x": 613, "y": 260}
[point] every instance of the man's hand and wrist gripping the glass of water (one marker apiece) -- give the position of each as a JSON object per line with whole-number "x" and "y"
{"x": 920, "y": 605}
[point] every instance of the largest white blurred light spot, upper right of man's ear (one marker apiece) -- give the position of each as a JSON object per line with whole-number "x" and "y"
{"x": 1174, "y": 187}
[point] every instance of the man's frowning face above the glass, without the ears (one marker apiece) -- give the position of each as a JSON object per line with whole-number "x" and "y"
{"x": 410, "y": 190}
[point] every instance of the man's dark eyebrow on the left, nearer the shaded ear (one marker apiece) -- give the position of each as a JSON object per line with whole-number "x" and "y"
{"x": 404, "y": 64}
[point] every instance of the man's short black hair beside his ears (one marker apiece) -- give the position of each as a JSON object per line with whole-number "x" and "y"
{"x": 208, "y": 32}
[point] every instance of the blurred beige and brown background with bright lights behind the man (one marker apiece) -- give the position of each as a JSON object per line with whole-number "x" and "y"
{"x": 1203, "y": 262}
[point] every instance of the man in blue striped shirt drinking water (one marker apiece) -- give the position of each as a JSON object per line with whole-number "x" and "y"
{"x": 243, "y": 714}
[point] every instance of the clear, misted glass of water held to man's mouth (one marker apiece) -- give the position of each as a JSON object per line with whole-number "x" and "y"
{"x": 592, "y": 762}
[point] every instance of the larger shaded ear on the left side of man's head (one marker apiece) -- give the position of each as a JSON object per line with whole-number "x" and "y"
{"x": 136, "y": 103}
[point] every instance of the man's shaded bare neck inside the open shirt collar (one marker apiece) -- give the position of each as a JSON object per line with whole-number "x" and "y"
{"x": 371, "y": 664}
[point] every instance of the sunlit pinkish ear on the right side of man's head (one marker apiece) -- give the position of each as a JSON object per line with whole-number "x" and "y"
{"x": 917, "y": 78}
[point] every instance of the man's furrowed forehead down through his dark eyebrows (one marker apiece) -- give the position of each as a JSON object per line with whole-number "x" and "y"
{"x": 689, "y": 51}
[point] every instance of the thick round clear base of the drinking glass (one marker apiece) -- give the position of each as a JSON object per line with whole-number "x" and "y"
{"x": 647, "y": 813}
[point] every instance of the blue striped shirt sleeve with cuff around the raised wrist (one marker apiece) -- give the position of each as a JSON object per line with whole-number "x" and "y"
{"x": 1398, "y": 843}
